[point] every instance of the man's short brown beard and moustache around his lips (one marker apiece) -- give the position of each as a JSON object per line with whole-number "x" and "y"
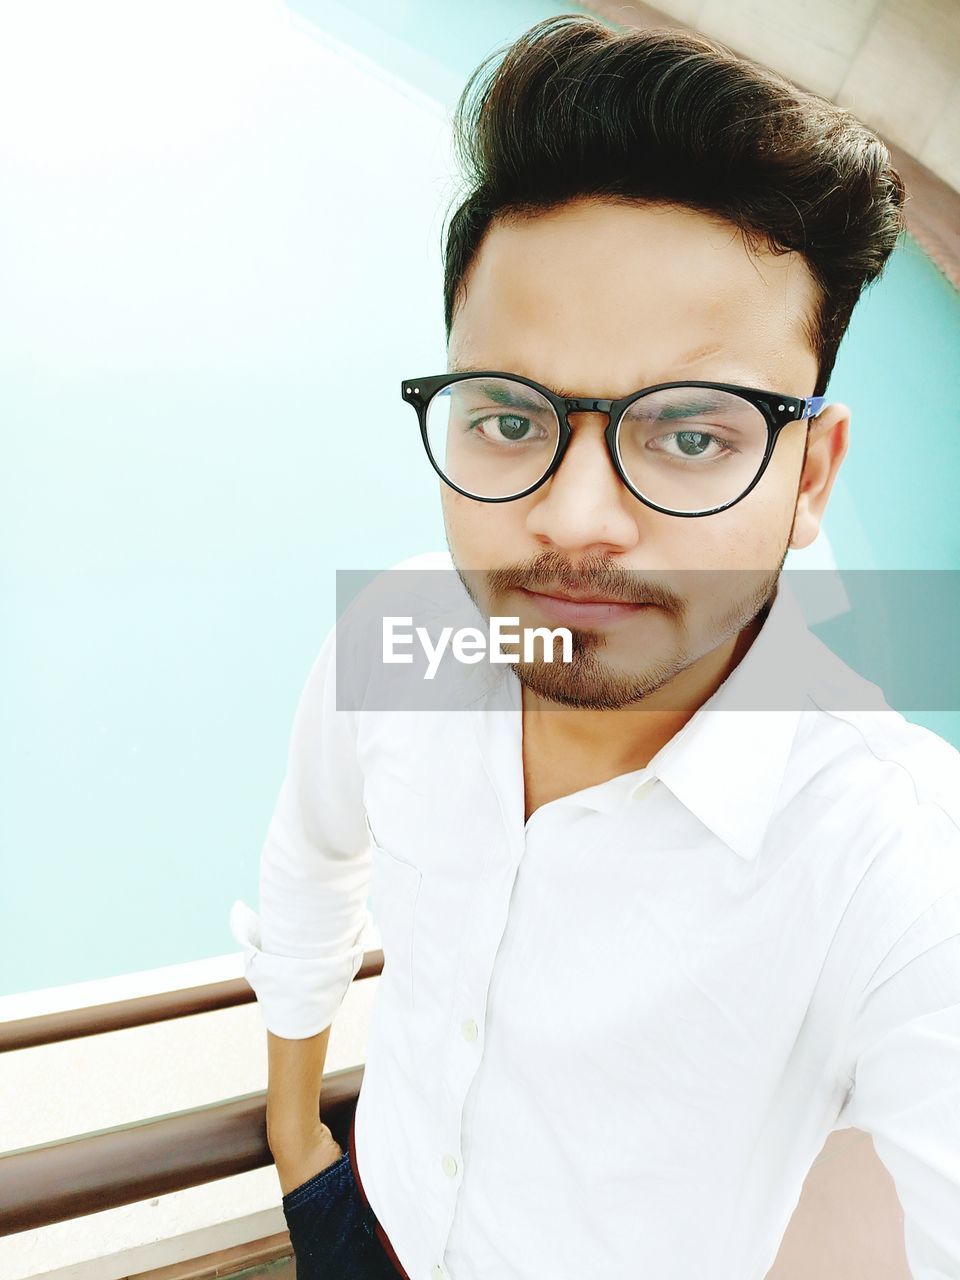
{"x": 611, "y": 674}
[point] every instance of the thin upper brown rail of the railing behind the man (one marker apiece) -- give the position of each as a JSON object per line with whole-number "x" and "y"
{"x": 141, "y": 1011}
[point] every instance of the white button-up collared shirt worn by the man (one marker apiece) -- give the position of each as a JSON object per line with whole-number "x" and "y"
{"x": 610, "y": 1041}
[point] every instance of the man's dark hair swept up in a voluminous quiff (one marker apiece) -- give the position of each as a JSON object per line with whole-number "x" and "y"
{"x": 578, "y": 109}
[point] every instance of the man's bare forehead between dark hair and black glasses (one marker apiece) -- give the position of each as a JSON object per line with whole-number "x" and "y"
{"x": 650, "y": 295}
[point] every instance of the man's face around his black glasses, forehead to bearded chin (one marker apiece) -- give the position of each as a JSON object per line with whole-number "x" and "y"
{"x": 601, "y": 300}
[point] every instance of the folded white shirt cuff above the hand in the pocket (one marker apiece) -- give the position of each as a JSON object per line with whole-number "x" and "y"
{"x": 299, "y": 996}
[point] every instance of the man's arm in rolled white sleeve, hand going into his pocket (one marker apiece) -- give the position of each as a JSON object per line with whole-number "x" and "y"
{"x": 305, "y": 948}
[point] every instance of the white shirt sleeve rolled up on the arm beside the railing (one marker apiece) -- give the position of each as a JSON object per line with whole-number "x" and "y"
{"x": 305, "y": 948}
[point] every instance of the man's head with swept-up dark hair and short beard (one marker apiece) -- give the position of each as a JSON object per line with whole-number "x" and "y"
{"x": 644, "y": 208}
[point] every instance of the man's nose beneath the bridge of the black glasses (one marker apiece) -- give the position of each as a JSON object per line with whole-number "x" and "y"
{"x": 586, "y": 504}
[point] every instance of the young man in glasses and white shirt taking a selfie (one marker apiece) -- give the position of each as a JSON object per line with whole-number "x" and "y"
{"x": 644, "y": 949}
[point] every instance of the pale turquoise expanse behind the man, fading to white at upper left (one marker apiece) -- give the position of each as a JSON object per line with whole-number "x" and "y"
{"x": 211, "y": 299}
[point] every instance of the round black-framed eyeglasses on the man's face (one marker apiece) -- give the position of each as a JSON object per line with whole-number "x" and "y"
{"x": 683, "y": 449}
